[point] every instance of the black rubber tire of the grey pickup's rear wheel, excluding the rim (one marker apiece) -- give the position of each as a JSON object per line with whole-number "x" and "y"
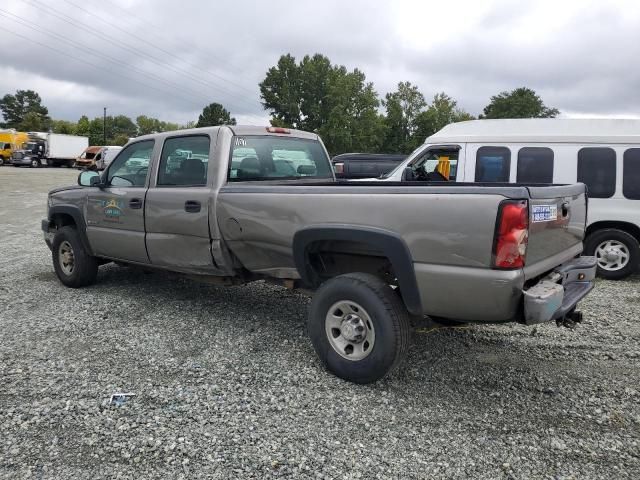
{"x": 386, "y": 312}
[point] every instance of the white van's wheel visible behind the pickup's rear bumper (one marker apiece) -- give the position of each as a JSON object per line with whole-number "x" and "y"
{"x": 616, "y": 251}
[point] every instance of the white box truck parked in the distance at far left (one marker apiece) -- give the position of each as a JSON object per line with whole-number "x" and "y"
{"x": 51, "y": 149}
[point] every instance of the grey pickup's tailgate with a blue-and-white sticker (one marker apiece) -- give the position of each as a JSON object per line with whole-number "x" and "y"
{"x": 557, "y": 218}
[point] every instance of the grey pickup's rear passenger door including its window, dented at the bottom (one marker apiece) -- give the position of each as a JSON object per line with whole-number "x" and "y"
{"x": 178, "y": 204}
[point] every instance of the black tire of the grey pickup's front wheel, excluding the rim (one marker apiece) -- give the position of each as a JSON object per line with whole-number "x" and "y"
{"x": 85, "y": 267}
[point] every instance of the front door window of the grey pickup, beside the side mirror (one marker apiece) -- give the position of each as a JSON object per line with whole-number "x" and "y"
{"x": 130, "y": 168}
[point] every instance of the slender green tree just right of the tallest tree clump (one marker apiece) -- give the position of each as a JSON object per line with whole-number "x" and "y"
{"x": 402, "y": 109}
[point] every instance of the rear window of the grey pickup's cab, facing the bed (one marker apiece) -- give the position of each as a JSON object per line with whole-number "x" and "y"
{"x": 271, "y": 158}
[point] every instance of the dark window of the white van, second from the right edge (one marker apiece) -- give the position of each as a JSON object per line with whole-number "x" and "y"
{"x": 597, "y": 170}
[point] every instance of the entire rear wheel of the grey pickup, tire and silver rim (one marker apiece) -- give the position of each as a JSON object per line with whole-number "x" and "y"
{"x": 359, "y": 327}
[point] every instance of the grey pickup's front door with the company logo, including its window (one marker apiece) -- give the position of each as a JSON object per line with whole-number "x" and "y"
{"x": 115, "y": 213}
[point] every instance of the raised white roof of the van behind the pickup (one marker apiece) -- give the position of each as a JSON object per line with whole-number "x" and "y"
{"x": 540, "y": 130}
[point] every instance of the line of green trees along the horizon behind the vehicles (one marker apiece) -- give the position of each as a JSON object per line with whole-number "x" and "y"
{"x": 311, "y": 94}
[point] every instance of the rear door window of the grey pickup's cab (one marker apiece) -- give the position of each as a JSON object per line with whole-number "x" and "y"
{"x": 184, "y": 161}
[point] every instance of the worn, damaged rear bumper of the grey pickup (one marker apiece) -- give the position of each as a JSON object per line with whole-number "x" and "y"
{"x": 555, "y": 296}
